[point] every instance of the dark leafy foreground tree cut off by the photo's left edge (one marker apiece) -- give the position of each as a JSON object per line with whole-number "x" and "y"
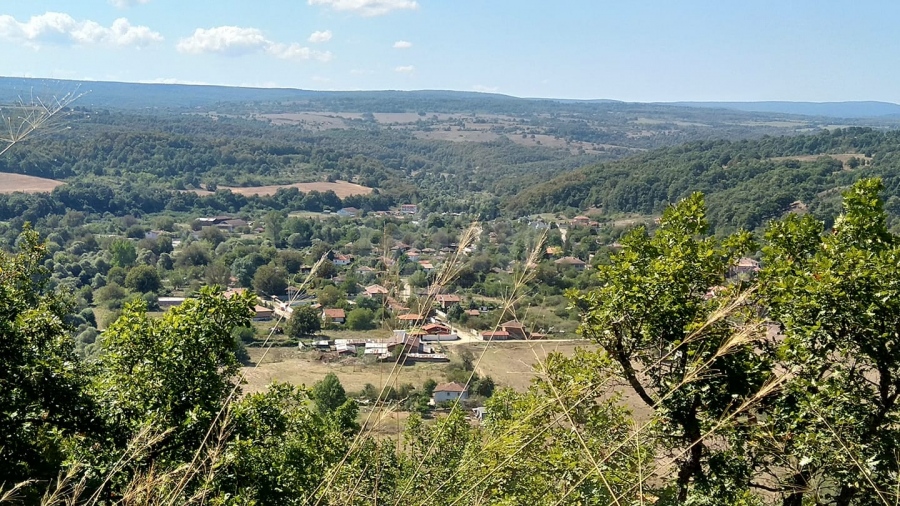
{"x": 43, "y": 383}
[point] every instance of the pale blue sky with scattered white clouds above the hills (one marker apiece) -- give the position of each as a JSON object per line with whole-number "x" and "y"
{"x": 636, "y": 50}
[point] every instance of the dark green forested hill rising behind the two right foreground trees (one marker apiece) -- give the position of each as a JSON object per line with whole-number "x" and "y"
{"x": 746, "y": 182}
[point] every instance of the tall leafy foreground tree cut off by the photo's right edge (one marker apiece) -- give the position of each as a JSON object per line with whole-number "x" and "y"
{"x": 837, "y": 298}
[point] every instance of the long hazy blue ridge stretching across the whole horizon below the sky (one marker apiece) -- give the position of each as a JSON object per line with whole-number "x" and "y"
{"x": 119, "y": 95}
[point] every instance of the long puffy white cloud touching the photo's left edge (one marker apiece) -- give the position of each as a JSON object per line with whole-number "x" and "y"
{"x": 61, "y": 28}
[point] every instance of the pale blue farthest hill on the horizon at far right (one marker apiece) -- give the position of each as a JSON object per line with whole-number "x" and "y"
{"x": 827, "y": 109}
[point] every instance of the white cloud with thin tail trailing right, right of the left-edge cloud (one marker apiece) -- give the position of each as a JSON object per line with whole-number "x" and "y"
{"x": 236, "y": 41}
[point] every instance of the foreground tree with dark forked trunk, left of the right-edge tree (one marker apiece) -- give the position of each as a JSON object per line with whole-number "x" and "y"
{"x": 657, "y": 316}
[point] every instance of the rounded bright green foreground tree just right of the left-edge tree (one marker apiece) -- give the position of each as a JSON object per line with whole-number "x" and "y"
{"x": 171, "y": 375}
